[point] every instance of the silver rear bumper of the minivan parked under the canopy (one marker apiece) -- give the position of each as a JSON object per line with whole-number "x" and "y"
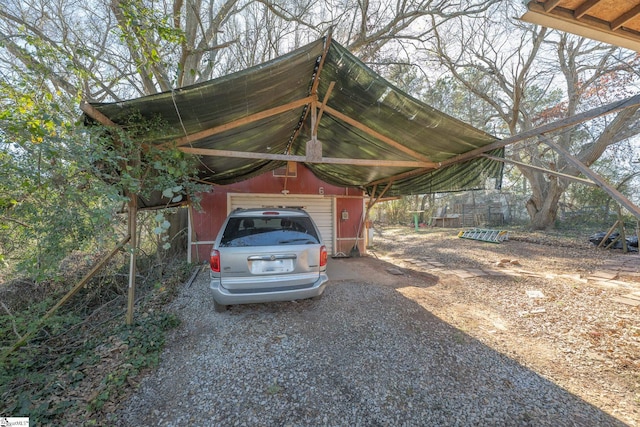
{"x": 225, "y": 297}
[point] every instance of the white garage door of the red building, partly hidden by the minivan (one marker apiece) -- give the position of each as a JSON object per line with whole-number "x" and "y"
{"x": 320, "y": 208}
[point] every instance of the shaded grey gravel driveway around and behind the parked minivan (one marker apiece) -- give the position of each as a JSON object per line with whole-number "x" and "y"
{"x": 363, "y": 355}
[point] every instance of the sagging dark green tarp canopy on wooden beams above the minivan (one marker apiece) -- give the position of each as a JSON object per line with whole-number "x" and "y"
{"x": 321, "y": 106}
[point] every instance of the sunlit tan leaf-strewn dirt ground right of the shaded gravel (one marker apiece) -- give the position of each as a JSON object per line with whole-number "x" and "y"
{"x": 558, "y": 306}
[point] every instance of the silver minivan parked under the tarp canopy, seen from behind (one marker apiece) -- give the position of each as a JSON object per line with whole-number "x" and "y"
{"x": 265, "y": 255}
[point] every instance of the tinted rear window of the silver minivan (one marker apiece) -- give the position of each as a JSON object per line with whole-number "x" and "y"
{"x": 269, "y": 231}
